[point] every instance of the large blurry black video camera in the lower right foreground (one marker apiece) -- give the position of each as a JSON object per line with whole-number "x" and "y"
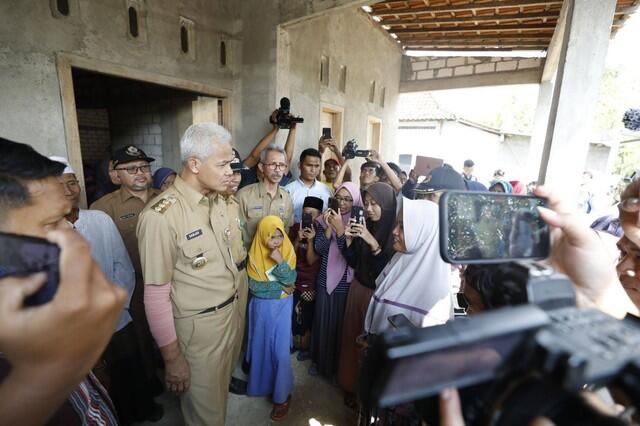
{"x": 512, "y": 364}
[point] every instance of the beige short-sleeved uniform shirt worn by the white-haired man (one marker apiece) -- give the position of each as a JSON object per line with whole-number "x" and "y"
{"x": 184, "y": 239}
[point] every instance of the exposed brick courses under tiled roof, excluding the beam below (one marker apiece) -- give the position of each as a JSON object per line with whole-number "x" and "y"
{"x": 433, "y": 67}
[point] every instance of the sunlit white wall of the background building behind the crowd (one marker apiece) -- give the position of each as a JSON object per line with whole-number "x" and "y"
{"x": 455, "y": 142}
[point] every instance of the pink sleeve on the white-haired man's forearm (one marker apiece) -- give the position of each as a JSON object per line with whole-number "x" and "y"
{"x": 159, "y": 313}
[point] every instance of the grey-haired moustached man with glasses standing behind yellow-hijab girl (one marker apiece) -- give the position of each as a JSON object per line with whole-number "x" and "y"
{"x": 267, "y": 197}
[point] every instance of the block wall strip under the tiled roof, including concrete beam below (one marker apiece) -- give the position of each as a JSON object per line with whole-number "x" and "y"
{"x": 436, "y": 73}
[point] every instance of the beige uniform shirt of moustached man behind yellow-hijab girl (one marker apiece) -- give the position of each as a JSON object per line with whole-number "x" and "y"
{"x": 256, "y": 203}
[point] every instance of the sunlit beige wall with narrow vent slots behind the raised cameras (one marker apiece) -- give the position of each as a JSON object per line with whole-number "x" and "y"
{"x": 348, "y": 38}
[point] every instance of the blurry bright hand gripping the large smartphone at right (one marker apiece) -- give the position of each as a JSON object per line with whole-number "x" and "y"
{"x": 579, "y": 252}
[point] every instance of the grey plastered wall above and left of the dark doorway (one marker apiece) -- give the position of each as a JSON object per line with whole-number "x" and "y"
{"x": 30, "y": 36}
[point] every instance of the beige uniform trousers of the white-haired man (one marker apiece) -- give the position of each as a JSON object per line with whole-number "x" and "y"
{"x": 208, "y": 342}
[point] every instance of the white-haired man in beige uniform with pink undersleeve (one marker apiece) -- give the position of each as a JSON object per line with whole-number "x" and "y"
{"x": 190, "y": 276}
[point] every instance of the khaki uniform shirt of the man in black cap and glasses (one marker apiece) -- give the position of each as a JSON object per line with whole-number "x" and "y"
{"x": 124, "y": 208}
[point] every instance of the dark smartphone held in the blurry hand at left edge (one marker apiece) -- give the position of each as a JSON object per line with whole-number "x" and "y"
{"x": 22, "y": 256}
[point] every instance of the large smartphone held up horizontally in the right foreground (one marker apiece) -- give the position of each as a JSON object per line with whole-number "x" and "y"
{"x": 488, "y": 227}
